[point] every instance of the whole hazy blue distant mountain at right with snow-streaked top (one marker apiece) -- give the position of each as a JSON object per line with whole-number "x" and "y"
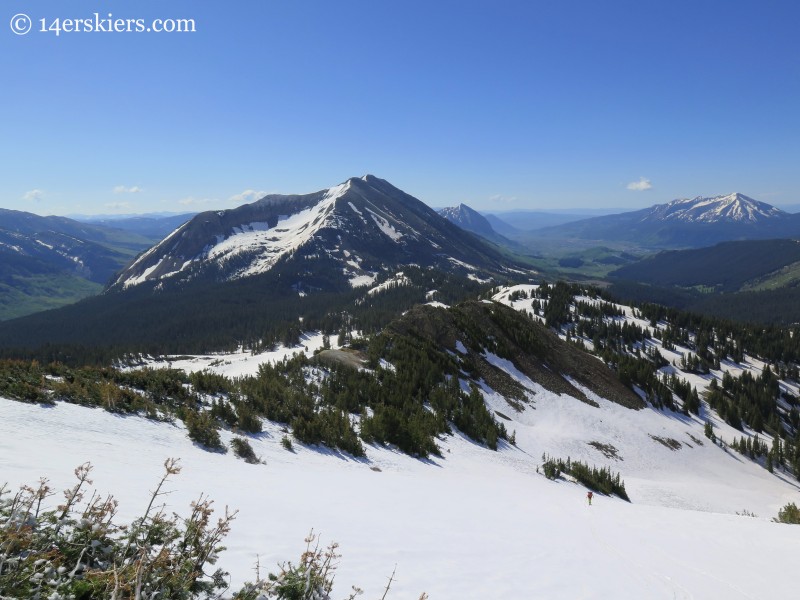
{"x": 686, "y": 223}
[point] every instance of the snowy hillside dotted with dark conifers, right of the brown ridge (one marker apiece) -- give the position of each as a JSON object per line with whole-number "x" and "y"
{"x": 680, "y": 361}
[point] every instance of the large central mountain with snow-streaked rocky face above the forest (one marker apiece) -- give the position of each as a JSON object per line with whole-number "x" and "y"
{"x": 351, "y": 233}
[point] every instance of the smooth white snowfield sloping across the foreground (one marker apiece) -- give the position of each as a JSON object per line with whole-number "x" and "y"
{"x": 474, "y": 524}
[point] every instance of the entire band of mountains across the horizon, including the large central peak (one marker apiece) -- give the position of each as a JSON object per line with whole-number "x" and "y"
{"x": 359, "y": 235}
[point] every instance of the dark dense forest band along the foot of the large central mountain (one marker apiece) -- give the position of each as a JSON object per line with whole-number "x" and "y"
{"x": 188, "y": 318}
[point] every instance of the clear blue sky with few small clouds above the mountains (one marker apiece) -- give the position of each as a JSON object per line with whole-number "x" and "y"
{"x": 501, "y": 105}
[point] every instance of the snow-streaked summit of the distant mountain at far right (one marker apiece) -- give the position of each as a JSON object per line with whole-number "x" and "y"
{"x": 735, "y": 207}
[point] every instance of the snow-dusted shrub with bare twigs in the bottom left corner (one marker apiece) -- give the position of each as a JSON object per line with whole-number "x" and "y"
{"x": 76, "y": 550}
